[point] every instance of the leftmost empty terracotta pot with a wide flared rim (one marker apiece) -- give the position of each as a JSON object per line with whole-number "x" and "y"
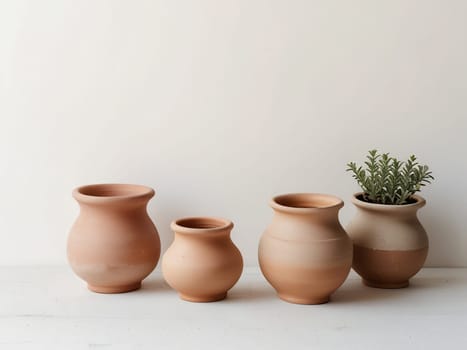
{"x": 113, "y": 244}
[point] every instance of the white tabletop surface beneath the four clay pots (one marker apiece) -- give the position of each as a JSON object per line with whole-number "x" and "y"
{"x": 49, "y": 308}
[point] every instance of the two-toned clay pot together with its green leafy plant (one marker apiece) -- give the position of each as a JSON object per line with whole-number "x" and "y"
{"x": 390, "y": 244}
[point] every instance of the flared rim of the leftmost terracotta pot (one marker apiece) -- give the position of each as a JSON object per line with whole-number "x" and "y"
{"x": 110, "y": 192}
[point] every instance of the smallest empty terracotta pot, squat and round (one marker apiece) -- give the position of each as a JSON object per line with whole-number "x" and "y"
{"x": 202, "y": 263}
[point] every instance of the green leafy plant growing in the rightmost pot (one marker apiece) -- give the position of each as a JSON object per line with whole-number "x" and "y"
{"x": 387, "y": 180}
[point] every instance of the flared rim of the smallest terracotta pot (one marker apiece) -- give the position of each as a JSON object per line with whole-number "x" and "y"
{"x": 201, "y": 224}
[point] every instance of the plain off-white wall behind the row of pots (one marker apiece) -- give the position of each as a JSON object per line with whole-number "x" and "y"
{"x": 219, "y": 105}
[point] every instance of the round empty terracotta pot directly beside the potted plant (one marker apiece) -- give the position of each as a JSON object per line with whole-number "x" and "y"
{"x": 305, "y": 253}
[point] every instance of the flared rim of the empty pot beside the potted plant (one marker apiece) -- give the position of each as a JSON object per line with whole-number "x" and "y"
{"x": 305, "y": 202}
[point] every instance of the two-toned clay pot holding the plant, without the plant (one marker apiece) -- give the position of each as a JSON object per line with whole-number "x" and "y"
{"x": 390, "y": 244}
